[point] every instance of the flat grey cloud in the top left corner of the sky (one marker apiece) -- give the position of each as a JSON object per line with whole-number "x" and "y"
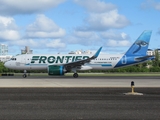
{"x": 12, "y": 7}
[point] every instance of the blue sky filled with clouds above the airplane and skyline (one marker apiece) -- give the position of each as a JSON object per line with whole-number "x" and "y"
{"x": 61, "y": 26}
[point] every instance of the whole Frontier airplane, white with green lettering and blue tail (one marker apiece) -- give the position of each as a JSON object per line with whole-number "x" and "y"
{"x": 59, "y": 64}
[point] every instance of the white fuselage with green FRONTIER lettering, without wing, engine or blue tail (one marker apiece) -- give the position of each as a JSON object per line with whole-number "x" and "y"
{"x": 41, "y": 62}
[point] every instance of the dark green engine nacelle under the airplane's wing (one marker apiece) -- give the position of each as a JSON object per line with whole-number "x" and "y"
{"x": 55, "y": 70}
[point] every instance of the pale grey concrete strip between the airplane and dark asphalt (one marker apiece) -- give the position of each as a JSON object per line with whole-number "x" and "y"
{"x": 88, "y": 81}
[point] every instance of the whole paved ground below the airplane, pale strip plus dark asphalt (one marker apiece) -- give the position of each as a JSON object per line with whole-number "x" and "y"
{"x": 81, "y": 98}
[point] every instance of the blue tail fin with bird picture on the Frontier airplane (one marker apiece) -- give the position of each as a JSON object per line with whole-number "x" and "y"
{"x": 140, "y": 46}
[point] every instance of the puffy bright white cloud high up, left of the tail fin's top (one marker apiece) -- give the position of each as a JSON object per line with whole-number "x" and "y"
{"x": 108, "y": 20}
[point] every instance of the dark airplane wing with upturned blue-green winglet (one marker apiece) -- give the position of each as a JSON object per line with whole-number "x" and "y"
{"x": 78, "y": 63}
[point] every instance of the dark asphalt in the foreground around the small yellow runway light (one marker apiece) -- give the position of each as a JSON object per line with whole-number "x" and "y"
{"x": 79, "y": 103}
